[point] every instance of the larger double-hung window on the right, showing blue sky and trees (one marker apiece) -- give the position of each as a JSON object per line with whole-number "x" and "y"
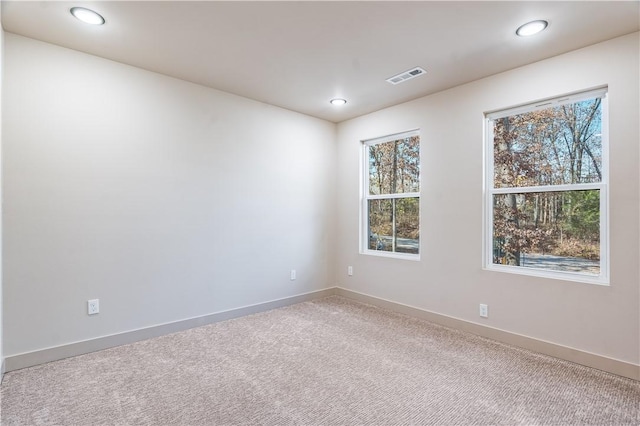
{"x": 546, "y": 179}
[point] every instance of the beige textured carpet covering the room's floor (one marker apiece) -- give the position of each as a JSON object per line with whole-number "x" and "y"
{"x": 327, "y": 362}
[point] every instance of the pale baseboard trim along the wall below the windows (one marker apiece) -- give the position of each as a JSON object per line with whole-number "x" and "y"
{"x": 610, "y": 365}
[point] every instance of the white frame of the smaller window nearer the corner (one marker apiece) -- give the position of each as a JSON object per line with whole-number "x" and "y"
{"x": 365, "y": 197}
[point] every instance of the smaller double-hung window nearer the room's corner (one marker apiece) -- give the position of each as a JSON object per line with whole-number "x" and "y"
{"x": 391, "y": 201}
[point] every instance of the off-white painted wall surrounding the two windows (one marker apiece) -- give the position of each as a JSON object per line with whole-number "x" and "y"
{"x": 449, "y": 279}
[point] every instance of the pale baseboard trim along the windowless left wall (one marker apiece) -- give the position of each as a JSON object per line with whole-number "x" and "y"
{"x": 29, "y": 359}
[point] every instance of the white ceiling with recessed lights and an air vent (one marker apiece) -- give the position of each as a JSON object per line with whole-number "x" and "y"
{"x": 299, "y": 55}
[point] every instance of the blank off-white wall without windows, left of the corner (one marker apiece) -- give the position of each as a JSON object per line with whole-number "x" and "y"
{"x": 164, "y": 199}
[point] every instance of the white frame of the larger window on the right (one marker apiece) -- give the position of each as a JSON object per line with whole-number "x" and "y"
{"x": 602, "y": 186}
